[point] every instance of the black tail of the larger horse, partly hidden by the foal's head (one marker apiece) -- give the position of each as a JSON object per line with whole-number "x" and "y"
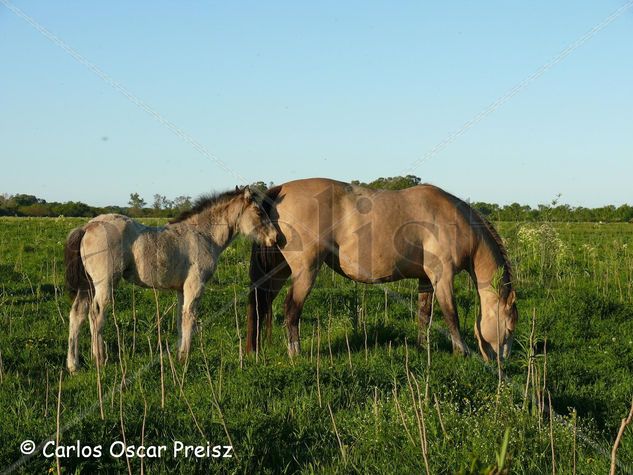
{"x": 264, "y": 263}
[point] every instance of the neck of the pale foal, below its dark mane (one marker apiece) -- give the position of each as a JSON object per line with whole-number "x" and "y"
{"x": 218, "y": 223}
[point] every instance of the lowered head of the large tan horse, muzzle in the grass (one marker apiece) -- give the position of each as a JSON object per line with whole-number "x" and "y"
{"x": 495, "y": 326}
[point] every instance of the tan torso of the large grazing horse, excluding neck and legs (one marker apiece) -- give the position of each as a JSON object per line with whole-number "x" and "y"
{"x": 369, "y": 235}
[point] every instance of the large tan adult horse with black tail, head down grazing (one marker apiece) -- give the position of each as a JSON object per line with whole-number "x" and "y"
{"x": 375, "y": 236}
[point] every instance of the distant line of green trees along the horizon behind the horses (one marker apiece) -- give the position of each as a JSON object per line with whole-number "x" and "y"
{"x": 163, "y": 207}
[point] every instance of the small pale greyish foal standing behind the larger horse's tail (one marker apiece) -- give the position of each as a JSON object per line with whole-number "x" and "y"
{"x": 181, "y": 255}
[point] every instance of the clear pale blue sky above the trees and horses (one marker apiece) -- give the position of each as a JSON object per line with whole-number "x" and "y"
{"x": 285, "y": 90}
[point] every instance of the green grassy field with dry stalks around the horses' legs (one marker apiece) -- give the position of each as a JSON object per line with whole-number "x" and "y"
{"x": 361, "y": 398}
